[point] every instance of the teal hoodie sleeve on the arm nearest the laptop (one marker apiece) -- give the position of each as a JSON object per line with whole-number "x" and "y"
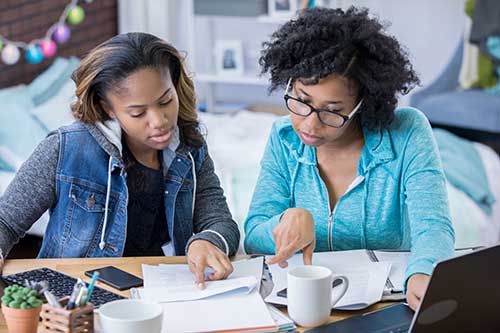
{"x": 432, "y": 234}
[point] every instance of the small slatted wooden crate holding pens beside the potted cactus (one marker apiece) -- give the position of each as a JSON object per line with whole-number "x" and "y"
{"x": 78, "y": 320}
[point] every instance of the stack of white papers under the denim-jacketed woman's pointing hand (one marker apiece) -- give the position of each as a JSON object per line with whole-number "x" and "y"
{"x": 232, "y": 305}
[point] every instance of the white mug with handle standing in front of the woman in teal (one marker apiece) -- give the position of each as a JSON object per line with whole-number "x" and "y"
{"x": 309, "y": 294}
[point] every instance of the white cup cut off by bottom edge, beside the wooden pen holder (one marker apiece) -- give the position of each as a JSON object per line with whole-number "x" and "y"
{"x": 130, "y": 316}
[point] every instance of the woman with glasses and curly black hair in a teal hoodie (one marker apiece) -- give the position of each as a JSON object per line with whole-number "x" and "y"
{"x": 347, "y": 170}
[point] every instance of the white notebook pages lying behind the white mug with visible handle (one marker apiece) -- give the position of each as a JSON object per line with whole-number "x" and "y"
{"x": 366, "y": 280}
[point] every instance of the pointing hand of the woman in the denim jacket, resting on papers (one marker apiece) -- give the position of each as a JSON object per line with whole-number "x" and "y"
{"x": 202, "y": 254}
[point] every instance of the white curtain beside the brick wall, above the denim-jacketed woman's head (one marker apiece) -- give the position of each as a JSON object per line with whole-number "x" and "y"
{"x": 153, "y": 16}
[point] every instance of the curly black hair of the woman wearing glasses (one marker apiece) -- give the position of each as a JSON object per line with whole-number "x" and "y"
{"x": 322, "y": 41}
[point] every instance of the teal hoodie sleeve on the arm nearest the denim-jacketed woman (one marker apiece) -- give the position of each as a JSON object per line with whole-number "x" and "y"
{"x": 270, "y": 199}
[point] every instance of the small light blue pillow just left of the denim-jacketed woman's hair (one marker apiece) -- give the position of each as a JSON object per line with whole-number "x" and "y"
{"x": 51, "y": 80}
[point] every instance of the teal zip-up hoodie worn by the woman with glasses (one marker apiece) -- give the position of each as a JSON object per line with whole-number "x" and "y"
{"x": 397, "y": 201}
